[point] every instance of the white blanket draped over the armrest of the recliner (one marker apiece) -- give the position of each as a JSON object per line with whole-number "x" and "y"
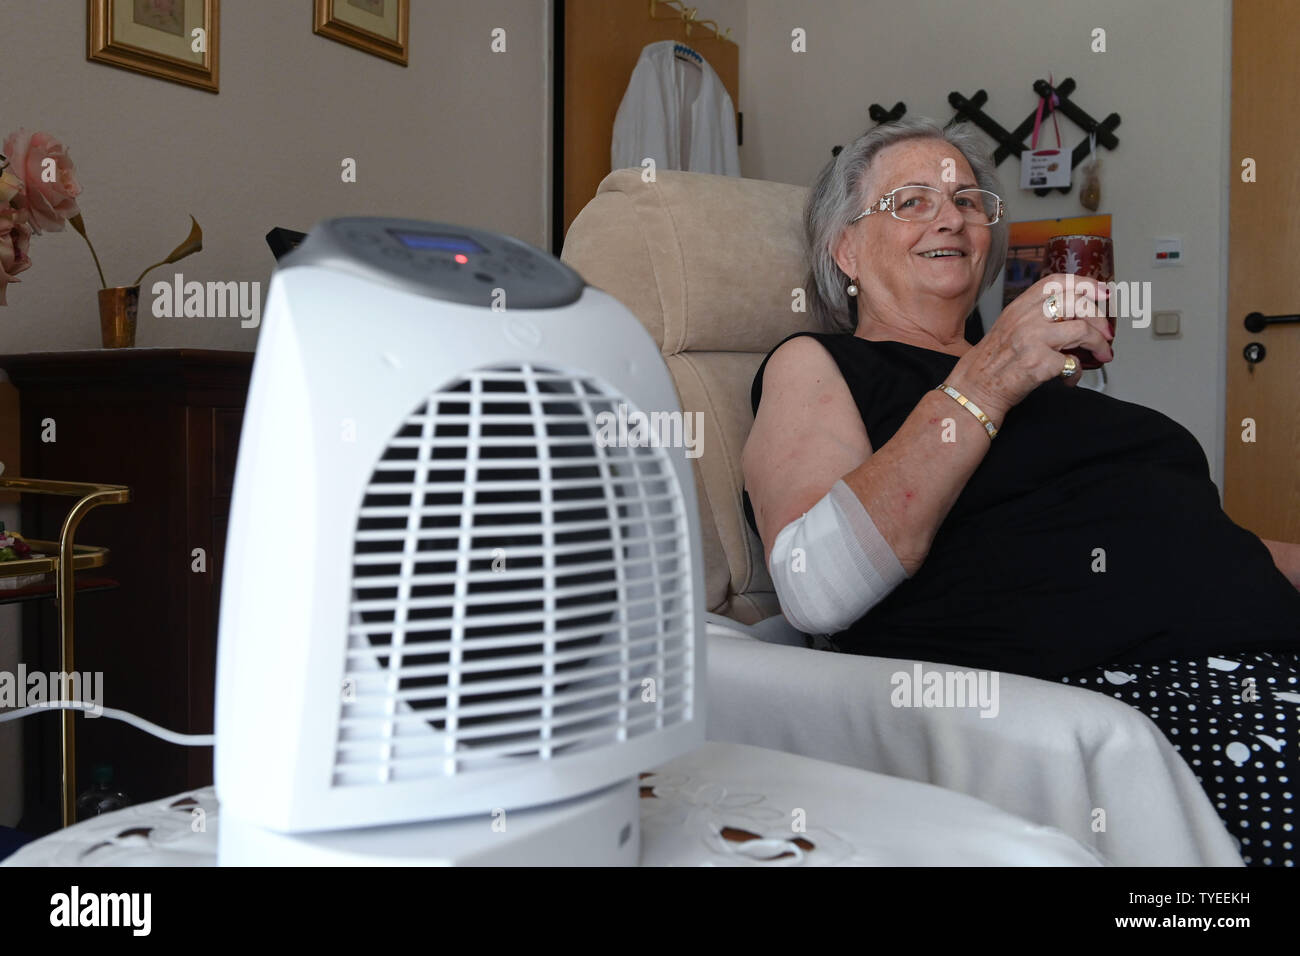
{"x": 1054, "y": 755}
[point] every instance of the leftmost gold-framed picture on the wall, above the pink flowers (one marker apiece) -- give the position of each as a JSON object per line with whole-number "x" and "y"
{"x": 170, "y": 40}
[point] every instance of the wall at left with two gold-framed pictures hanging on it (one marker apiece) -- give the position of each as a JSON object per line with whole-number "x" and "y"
{"x": 461, "y": 135}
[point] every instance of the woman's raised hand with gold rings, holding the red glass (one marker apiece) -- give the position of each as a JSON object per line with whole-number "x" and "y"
{"x": 1026, "y": 348}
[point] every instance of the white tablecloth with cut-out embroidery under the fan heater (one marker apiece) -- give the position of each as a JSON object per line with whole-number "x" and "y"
{"x": 721, "y": 806}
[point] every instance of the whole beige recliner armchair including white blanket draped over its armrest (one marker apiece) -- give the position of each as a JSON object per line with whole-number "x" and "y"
{"x": 712, "y": 266}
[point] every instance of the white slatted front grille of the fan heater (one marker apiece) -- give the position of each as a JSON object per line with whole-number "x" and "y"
{"x": 519, "y": 591}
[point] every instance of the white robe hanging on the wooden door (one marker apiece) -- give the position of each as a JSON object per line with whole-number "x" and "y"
{"x": 678, "y": 114}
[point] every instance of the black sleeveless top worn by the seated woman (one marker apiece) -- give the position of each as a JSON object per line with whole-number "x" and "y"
{"x": 1074, "y": 483}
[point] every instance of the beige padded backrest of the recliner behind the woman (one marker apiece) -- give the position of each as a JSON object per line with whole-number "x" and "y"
{"x": 708, "y": 263}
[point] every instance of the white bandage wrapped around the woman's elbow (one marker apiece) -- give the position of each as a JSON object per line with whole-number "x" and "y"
{"x": 833, "y": 565}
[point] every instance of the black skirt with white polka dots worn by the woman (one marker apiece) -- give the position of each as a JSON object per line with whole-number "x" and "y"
{"x": 1234, "y": 721}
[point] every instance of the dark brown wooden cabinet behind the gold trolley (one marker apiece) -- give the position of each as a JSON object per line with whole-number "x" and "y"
{"x": 166, "y": 422}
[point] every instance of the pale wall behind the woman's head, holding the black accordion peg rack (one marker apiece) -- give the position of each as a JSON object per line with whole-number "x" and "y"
{"x": 1165, "y": 72}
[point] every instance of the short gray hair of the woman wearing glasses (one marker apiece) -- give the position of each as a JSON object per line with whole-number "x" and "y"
{"x": 837, "y": 198}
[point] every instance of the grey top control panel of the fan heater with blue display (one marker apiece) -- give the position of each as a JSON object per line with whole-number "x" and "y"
{"x": 444, "y": 262}
